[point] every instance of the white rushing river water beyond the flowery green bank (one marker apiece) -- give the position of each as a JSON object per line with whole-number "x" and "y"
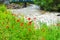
{"x": 33, "y": 11}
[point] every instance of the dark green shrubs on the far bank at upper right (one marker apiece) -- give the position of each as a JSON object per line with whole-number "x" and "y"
{"x": 49, "y": 5}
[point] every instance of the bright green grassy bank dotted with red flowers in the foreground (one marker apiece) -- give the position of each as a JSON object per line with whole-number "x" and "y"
{"x": 13, "y": 28}
